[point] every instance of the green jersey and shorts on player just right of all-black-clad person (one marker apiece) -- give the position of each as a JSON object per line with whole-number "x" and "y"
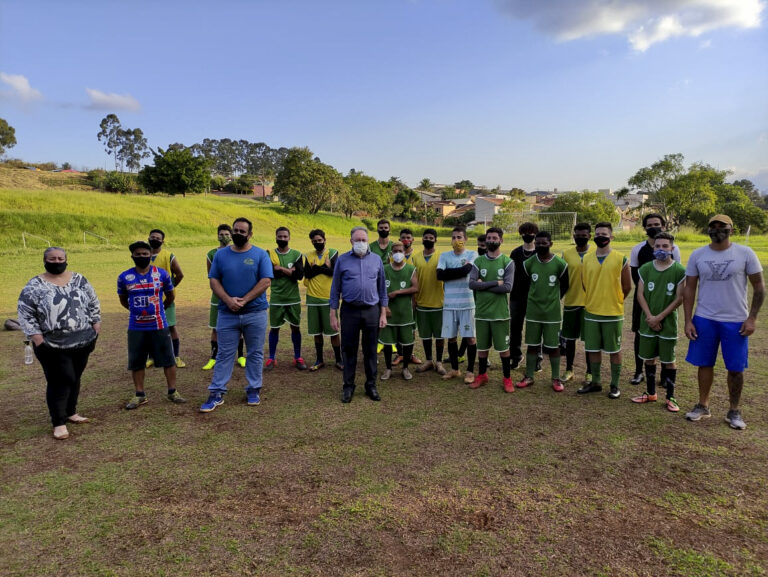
{"x": 543, "y": 317}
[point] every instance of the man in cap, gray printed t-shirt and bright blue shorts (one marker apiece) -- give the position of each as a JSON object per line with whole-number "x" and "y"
{"x": 722, "y": 319}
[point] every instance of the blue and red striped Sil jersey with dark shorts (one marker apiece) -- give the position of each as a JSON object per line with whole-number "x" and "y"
{"x": 148, "y": 331}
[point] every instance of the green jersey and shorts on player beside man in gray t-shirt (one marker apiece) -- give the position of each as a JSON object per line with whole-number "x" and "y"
{"x": 659, "y": 290}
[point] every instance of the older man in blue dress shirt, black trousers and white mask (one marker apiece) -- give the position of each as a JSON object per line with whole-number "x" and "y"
{"x": 358, "y": 279}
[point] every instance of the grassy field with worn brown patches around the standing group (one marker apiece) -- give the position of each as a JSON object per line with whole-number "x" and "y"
{"x": 434, "y": 480}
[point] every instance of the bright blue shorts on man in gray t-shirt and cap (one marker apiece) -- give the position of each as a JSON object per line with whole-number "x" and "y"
{"x": 703, "y": 351}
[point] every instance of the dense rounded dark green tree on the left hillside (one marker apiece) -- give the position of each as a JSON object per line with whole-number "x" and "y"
{"x": 176, "y": 171}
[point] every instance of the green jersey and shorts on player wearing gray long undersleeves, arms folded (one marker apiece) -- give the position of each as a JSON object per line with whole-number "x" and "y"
{"x": 492, "y": 308}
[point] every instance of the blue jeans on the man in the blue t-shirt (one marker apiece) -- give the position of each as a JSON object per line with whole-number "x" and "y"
{"x": 229, "y": 326}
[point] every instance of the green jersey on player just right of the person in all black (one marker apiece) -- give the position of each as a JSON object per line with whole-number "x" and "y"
{"x": 544, "y": 292}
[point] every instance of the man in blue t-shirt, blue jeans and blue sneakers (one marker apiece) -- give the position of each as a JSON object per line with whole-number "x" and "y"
{"x": 240, "y": 275}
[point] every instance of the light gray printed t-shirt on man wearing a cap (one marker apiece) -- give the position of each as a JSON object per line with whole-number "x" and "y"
{"x": 723, "y": 281}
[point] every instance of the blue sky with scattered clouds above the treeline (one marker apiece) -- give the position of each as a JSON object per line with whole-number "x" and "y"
{"x": 535, "y": 94}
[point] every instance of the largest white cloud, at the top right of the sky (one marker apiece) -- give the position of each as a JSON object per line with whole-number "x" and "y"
{"x": 642, "y": 22}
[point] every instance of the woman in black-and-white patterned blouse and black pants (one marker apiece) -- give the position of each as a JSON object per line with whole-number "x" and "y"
{"x": 59, "y": 312}
